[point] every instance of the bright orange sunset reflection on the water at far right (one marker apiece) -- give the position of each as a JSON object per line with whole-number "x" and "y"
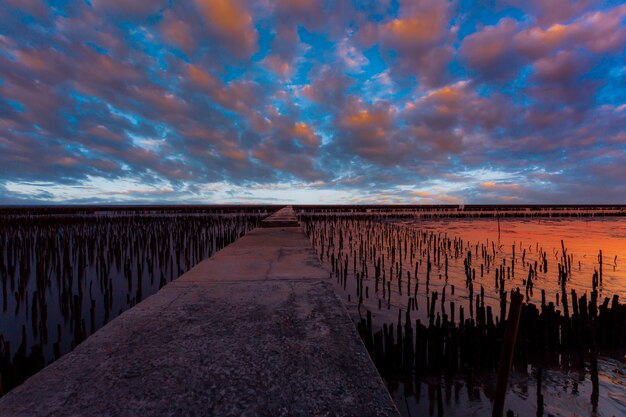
{"x": 582, "y": 238}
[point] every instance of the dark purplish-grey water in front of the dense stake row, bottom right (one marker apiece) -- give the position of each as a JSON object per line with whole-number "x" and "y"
{"x": 565, "y": 394}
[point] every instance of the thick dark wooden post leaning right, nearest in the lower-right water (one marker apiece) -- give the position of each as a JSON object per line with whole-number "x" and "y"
{"x": 507, "y": 353}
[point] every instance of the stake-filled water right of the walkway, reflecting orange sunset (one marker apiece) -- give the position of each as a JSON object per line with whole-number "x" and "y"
{"x": 429, "y": 292}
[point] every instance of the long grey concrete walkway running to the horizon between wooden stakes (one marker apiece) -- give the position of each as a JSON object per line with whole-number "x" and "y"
{"x": 256, "y": 330}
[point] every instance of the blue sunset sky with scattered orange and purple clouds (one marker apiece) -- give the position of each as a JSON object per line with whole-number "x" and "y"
{"x": 312, "y": 101}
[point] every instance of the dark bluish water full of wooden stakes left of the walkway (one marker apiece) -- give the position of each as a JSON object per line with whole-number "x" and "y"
{"x": 63, "y": 276}
